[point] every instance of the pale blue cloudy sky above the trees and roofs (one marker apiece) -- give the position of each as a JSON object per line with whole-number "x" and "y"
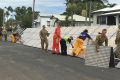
{"x": 44, "y": 6}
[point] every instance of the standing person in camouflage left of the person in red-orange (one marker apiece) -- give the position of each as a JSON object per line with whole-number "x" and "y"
{"x": 43, "y": 36}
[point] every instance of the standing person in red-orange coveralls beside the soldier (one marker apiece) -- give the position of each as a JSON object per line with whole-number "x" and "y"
{"x": 56, "y": 40}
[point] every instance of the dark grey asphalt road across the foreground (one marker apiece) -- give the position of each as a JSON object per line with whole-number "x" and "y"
{"x": 18, "y": 62}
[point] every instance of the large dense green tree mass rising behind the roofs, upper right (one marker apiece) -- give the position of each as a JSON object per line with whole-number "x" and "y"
{"x": 86, "y": 6}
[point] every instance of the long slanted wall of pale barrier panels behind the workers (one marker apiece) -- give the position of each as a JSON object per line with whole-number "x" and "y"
{"x": 31, "y": 37}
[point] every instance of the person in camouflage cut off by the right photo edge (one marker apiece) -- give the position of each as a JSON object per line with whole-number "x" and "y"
{"x": 117, "y": 42}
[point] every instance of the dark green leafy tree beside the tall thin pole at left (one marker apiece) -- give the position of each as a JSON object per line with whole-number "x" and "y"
{"x": 24, "y": 15}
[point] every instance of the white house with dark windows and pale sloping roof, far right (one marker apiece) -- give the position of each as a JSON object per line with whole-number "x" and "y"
{"x": 107, "y": 16}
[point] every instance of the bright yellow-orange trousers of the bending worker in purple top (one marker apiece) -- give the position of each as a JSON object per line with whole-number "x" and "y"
{"x": 78, "y": 47}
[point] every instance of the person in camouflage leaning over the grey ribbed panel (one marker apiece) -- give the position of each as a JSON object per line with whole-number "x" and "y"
{"x": 100, "y": 39}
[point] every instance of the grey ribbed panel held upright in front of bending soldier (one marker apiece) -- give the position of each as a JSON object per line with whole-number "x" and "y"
{"x": 98, "y": 59}
